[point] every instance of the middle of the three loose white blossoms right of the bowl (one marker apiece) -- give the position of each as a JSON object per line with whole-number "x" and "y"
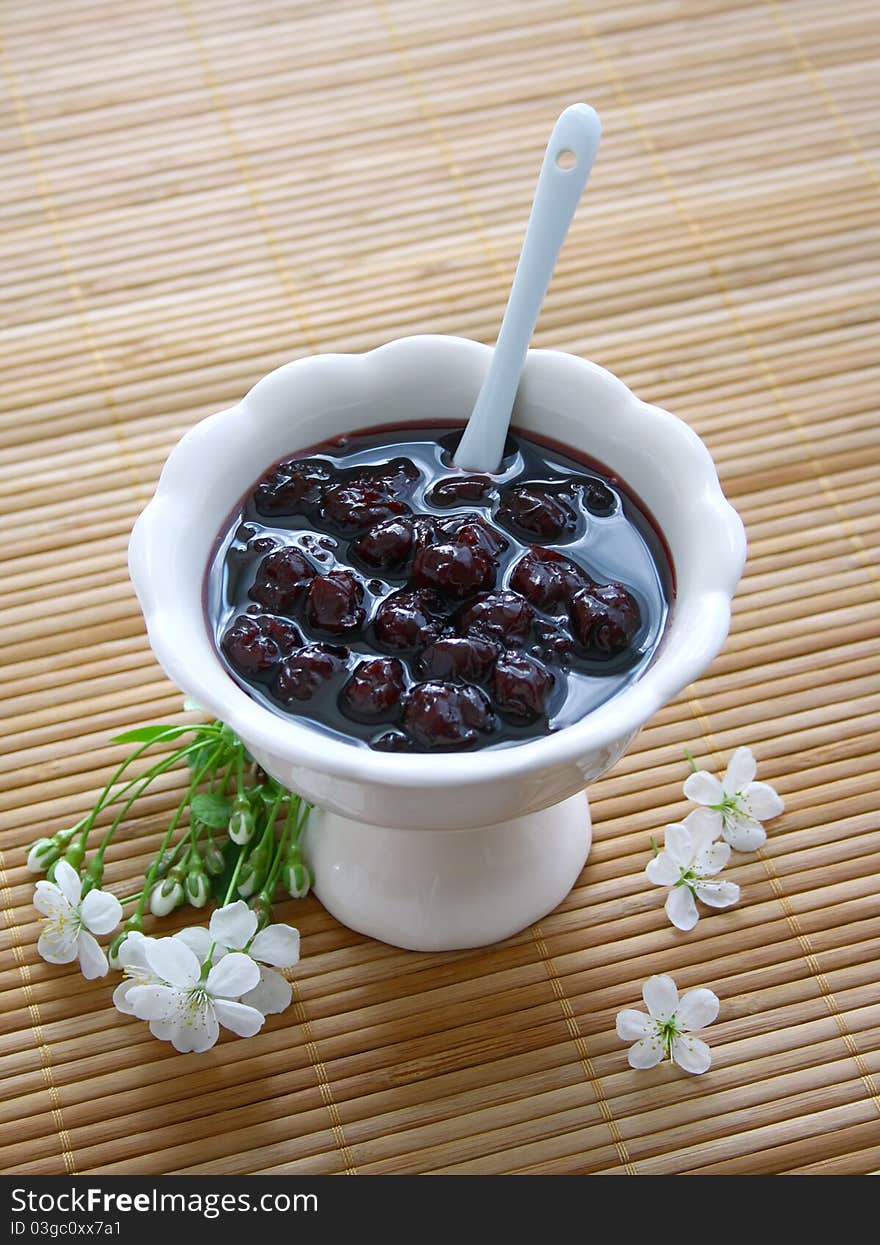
{"x": 689, "y": 860}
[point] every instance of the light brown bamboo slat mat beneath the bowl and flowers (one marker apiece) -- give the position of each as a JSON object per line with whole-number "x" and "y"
{"x": 194, "y": 194}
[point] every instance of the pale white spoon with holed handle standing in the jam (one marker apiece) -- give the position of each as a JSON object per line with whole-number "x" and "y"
{"x": 567, "y": 166}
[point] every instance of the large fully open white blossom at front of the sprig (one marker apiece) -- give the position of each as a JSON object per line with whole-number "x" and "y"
{"x": 187, "y": 1009}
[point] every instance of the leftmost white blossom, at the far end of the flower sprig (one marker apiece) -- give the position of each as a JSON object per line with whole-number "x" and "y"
{"x": 72, "y": 922}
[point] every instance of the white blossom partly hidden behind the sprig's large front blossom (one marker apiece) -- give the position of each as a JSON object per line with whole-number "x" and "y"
{"x": 278, "y": 947}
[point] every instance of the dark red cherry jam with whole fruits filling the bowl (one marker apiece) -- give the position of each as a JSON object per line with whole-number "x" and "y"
{"x": 372, "y": 590}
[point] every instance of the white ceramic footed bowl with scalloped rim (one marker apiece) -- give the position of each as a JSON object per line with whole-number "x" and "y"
{"x": 381, "y": 845}
